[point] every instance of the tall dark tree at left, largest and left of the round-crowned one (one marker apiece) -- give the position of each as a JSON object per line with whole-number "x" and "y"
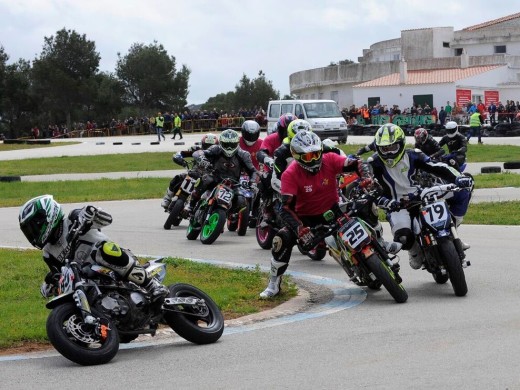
{"x": 64, "y": 74}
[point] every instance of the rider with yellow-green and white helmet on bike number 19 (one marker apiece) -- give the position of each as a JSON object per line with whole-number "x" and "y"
{"x": 394, "y": 167}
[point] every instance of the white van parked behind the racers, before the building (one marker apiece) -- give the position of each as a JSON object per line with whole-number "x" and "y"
{"x": 323, "y": 115}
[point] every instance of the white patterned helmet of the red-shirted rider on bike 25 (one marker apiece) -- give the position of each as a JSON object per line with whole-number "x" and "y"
{"x": 307, "y": 149}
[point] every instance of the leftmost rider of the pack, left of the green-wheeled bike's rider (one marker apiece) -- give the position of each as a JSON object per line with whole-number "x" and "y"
{"x": 198, "y": 169}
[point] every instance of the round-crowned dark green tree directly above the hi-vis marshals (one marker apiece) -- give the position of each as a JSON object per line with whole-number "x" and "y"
{"x": 150, "y": 79}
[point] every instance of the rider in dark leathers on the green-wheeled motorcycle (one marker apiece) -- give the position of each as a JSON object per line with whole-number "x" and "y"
{"x": 228, "y": 161}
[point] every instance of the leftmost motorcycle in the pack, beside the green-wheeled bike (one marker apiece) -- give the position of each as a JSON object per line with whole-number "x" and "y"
{"x": 184, "y": 190}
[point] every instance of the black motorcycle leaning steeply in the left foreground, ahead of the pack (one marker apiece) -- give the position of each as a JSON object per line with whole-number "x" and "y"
{"x": 95, "y": 310}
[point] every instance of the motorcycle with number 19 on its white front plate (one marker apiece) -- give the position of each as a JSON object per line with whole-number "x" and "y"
{"x": 437, "y": 236}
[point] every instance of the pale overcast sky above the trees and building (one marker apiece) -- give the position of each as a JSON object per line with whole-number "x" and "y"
{"x": 220, "y": 40}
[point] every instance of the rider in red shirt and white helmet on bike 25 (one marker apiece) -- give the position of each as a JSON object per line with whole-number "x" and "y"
{"x": 309, "y": 188}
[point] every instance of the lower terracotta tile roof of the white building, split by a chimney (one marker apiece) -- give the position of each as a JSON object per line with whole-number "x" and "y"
{"x": 428, "y": 76}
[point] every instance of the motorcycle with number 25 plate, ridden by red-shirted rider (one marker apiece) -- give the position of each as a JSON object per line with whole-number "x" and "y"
{"x": 354, "y": 244}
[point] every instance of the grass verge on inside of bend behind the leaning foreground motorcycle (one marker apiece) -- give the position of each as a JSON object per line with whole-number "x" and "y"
{"x": 23, "y": 309}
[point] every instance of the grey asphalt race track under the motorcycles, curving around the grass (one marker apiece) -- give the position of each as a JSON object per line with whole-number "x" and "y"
{"x": 348, "y": 339}
